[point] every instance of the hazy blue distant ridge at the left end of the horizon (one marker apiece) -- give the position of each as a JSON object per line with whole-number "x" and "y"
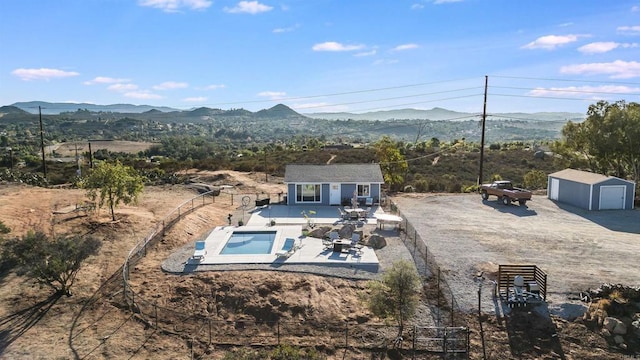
{"x": 57, "y": 108}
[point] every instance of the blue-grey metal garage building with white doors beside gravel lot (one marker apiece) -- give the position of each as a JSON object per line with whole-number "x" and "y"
{"x": 590, "y": 191}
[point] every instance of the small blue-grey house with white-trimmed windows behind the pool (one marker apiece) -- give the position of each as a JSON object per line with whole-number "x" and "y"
{"x": 332, "y": 184}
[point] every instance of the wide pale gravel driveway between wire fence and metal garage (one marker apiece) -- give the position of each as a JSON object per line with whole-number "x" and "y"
{"x": 578, "y": 249}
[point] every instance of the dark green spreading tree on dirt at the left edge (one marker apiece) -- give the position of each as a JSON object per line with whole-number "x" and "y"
{"x": 52, "y": 262}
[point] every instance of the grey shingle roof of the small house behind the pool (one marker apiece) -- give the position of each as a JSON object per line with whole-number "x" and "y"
{"x": 339, "y": 173}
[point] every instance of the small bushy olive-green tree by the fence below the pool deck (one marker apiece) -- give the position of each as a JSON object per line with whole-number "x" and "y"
{"x": 396, "y": 296}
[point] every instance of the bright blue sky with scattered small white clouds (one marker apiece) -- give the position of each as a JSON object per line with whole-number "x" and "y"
{"x": 322, "y": 55}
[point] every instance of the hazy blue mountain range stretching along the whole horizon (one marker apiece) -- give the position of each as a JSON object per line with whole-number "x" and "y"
{"x": 283, "y": 111}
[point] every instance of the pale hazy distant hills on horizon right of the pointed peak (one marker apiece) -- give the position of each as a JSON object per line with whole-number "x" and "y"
{"x": 439, "y": 114}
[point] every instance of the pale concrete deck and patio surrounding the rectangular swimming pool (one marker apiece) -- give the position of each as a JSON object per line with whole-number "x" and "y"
{"x": 311, "y": 256}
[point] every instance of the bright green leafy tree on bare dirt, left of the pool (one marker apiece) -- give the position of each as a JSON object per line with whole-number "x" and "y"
{"x": 112, "y": 183}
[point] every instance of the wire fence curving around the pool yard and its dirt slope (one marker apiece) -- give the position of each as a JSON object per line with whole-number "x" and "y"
{"x": 202, "y": 330}
